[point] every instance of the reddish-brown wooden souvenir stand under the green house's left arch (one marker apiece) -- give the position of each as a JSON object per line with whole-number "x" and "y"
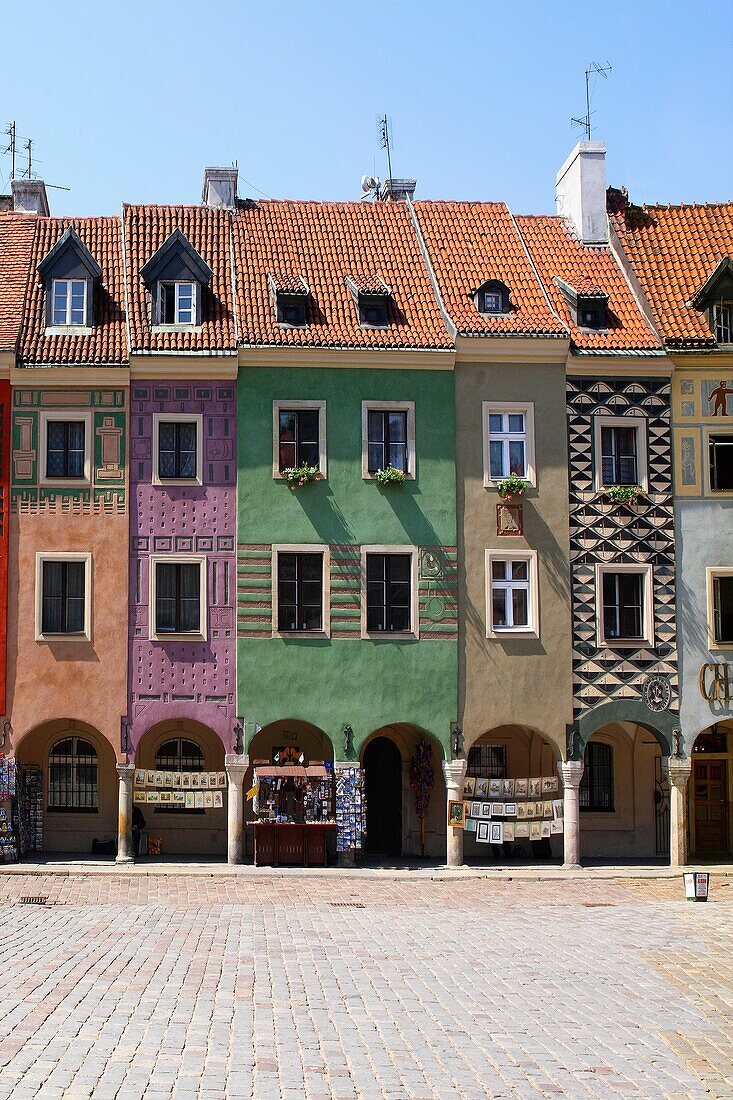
{"x": 294, "y": 815}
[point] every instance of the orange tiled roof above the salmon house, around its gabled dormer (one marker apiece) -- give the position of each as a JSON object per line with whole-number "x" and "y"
{"x": 107, "y": 343}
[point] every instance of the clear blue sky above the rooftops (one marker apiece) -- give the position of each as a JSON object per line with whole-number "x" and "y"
{"x": 129, "y": 101}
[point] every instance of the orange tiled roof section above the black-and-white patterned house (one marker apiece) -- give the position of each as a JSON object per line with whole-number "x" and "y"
{"x": 559, "y": 255}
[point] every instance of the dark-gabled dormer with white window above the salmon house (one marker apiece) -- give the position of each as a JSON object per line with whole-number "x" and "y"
{"x": 71, "y": 278}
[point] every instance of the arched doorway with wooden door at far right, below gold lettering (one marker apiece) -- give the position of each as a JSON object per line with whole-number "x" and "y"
{"x": 713, "y": 791}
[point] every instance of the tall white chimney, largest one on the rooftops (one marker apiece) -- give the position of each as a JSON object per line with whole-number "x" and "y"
{"x": 581, "y": 192}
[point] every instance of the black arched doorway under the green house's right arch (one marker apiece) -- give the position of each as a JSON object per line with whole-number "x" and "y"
{"x": 384, "y": 773}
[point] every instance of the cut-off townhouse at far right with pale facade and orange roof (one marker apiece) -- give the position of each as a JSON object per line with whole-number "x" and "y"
{"x": 680, "y": 259}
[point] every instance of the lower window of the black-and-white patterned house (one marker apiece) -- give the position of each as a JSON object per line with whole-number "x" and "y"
{"x": 627, "y": 606}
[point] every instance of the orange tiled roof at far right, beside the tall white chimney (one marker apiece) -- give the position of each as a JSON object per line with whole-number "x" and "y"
{"x": 674, "y": 250}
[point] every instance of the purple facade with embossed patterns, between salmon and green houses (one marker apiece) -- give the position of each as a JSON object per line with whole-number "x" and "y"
{"x": 184, "y": 679}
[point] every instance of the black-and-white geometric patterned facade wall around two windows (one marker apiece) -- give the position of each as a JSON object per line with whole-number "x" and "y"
{"x": 603, "y": 533}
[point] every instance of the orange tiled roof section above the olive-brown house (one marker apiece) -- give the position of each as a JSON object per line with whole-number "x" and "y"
{"x": 471, "y": 244}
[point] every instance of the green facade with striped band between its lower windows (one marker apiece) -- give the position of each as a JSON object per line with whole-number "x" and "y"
{"x": 348, "y": 680}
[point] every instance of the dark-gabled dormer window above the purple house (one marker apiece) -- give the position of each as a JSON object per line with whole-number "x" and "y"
{"x": 177, "y": 278}
